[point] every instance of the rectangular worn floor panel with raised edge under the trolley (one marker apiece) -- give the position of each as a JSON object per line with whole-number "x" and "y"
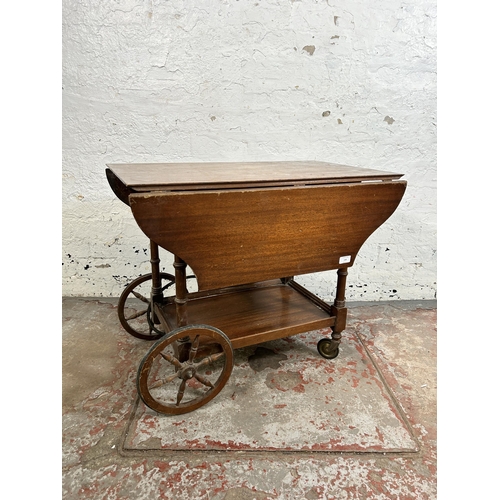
{"x": 283, "y": 396}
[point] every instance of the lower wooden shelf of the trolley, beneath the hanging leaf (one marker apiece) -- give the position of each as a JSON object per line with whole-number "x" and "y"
{"x": 255, "y": 314}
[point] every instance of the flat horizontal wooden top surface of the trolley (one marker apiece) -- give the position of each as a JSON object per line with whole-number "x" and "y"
{"x": 195, "y": 176}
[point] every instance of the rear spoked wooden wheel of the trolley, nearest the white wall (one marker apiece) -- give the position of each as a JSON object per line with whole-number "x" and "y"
{"x": 134, "y": 309}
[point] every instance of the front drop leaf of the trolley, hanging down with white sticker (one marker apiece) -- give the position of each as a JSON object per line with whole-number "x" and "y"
{"x": 242, "y": 236}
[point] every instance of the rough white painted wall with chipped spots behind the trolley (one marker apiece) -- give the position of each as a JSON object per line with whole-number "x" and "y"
{"x": 347, "y": 81}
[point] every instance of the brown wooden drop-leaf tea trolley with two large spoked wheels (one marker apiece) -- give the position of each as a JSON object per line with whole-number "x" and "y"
{"x": 245, "y": 230}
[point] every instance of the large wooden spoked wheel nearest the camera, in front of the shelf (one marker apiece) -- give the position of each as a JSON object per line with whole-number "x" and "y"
{"x": 185, "y": 370}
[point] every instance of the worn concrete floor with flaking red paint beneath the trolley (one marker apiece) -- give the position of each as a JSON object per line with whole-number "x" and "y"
{"x": 362, "y": 426}
